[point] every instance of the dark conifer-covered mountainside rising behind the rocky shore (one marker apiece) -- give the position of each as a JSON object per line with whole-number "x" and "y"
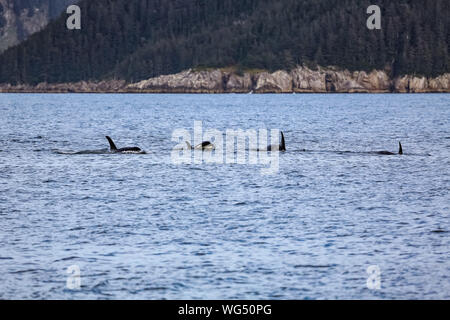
{"x": 139, "y": 39}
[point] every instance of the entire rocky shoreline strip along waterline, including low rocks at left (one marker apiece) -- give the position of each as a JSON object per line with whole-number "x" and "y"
{"x": 299, "y": 80}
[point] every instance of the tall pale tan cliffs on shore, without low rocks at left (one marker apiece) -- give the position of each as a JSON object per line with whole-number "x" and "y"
{"x": 299, "y": 80}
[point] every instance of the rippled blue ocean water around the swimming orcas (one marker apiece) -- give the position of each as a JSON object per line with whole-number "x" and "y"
{"x": 144, "y": 227}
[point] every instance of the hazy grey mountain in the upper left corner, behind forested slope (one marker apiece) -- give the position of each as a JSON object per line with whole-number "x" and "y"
{"x": 20, "y": 18}
